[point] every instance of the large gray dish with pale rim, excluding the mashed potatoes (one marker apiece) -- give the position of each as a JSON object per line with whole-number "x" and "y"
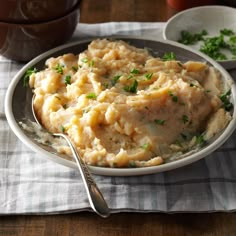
{"x": 18, "y": 95}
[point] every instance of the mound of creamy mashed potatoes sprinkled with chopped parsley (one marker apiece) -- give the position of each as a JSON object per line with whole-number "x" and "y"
{"x": 124, "y": 108}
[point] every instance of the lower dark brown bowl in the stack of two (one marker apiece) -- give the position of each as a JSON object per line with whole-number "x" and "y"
{"x": 22, "y": 42}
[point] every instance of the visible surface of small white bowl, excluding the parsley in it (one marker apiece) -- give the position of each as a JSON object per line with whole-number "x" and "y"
{"x": 209, "y": 18}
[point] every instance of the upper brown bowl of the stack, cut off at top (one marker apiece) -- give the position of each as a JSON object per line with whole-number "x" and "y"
{"x": 33, "y": 11}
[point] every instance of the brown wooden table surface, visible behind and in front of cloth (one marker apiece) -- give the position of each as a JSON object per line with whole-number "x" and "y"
{"x": 211, "y": 224}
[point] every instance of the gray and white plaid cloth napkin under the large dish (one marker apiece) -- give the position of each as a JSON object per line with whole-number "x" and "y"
{"x": 30, "y": 184}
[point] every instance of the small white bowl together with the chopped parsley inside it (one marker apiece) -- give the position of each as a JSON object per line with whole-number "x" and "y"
{"x": 209, "y": 29}
